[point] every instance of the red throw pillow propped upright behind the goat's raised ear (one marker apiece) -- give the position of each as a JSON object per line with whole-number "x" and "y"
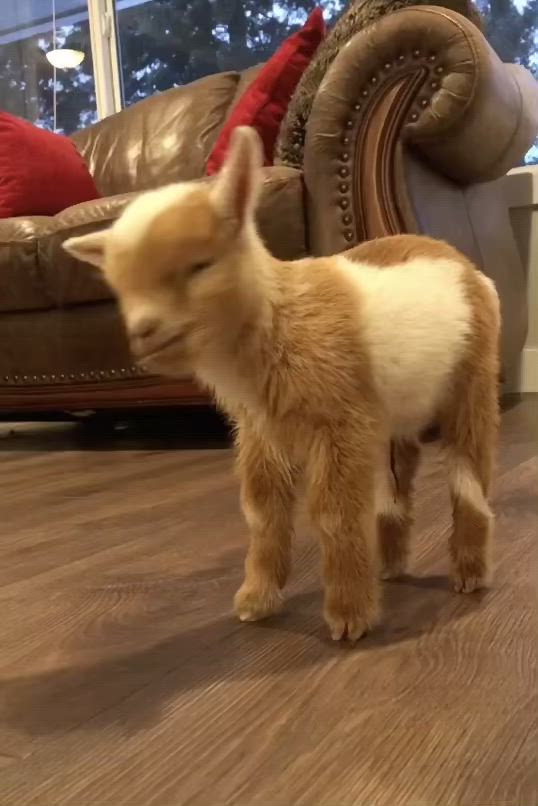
{"x": 265, "y": 101}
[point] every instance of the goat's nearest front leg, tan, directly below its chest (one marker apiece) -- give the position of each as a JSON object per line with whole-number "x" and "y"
{"x": 341, "y": 492}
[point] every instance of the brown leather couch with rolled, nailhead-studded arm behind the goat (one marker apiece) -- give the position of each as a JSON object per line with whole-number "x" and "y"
{"x": 414, "y": 122}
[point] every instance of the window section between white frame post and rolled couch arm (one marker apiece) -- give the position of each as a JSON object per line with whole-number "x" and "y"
{"x": 165, "y": 43}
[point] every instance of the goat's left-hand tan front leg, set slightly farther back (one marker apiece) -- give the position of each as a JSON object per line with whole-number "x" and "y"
{"x": 267, "y": 498}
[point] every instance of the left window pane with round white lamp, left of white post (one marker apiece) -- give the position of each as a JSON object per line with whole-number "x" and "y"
{"x": 30, "y": 86}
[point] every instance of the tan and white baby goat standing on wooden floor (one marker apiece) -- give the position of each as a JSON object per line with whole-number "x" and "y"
{"x": 330, "y": 369}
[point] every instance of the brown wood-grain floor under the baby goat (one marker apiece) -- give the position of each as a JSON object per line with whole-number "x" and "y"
{"x": 125, "y": 680}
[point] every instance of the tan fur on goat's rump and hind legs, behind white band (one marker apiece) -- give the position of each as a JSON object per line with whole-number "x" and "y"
{"x": 469, "y": 420}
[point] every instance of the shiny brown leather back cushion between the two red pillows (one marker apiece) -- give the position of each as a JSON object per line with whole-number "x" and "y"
{"x": 166, "y": 138}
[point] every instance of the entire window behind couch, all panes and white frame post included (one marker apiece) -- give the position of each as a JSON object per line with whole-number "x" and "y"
{"x": 166, "y": 43}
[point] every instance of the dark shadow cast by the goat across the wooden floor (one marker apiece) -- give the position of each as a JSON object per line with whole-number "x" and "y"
{"x": 132, "y": 688}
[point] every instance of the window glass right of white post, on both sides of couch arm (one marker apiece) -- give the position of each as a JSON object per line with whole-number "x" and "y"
{"x": 165, "y": 43}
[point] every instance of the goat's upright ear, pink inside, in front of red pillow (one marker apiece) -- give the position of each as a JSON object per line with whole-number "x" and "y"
{"x": 237, "y": 185}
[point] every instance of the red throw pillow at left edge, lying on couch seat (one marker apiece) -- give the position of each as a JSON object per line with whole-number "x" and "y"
{"x": 41, "y": 173}
